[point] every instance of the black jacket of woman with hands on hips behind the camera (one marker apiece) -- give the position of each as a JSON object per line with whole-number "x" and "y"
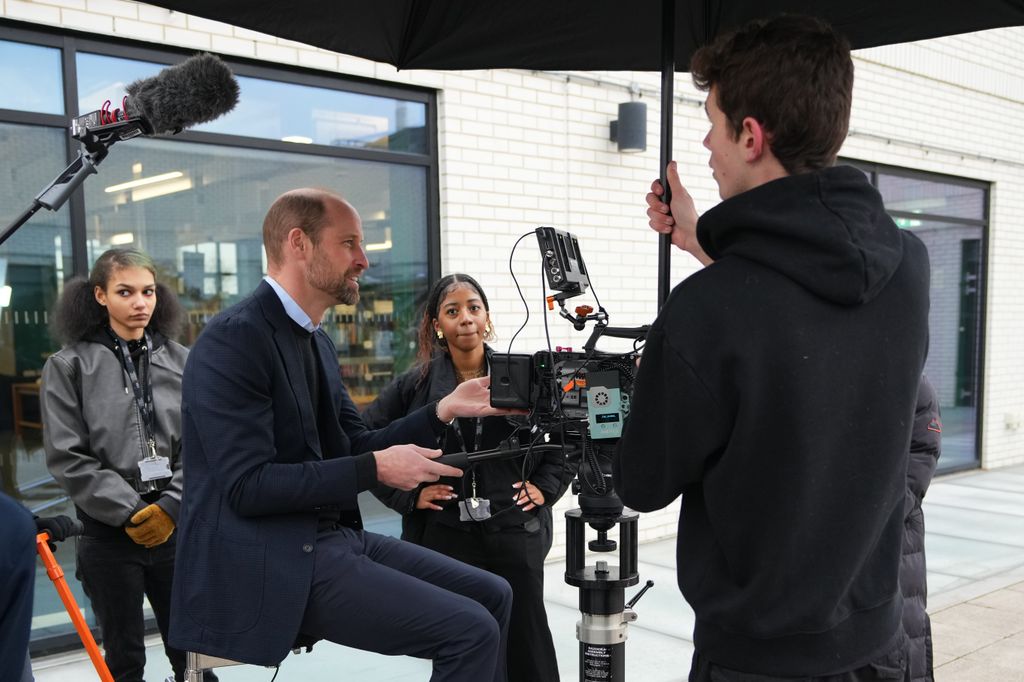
{"x": 494, "y": 480}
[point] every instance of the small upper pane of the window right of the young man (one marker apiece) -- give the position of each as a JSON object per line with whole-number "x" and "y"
{"x": 932, "y": 198}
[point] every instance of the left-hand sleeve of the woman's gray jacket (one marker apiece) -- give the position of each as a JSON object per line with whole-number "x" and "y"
{"x": 95, "y": 489}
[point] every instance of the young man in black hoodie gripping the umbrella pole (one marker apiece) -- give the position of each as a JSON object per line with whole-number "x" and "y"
{"x": 778, "y": 388}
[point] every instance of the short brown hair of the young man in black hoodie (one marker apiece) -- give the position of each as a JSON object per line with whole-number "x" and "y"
{"x": 792, "y": 74}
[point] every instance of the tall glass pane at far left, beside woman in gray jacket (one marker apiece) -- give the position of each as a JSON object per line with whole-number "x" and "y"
{"x": 34, "y": 264}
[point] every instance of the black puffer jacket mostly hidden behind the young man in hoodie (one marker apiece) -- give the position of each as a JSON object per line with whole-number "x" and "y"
{"x": 926, "y": 443}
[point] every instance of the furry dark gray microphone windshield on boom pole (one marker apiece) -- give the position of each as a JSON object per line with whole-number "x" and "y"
{"x": 200, "y": 90}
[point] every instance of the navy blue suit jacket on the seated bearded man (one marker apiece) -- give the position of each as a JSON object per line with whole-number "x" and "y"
{"x": 257, "y": 479}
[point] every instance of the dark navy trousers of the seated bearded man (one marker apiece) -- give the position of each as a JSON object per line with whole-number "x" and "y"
{"x": 380, "y": 594}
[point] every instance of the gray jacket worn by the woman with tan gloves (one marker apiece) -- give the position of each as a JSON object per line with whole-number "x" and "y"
{"x": 94, "y": 435}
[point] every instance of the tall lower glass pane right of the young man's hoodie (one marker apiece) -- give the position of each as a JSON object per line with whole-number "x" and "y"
{"x": 955, "y": 327}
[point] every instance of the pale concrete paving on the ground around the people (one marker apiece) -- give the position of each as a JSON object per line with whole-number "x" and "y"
{"x": 975, "y": 549}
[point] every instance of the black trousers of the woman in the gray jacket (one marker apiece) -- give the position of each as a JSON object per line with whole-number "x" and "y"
{"x": 116, "y": 574}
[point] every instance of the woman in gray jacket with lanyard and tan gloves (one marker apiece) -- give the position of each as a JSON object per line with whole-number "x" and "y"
{"x": 112, "y": 429}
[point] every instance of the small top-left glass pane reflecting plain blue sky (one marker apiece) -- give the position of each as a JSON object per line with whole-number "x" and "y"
{"x": 31, "y": 79}
